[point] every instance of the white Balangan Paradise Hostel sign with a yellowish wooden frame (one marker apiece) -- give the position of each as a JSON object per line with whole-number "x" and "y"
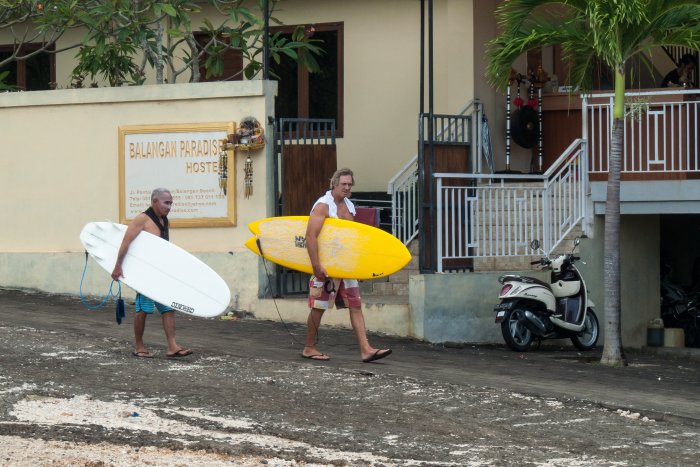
{"x": 186, "y": 160}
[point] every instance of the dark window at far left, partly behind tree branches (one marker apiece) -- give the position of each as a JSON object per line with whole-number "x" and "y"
{"x": 36, "y": 73}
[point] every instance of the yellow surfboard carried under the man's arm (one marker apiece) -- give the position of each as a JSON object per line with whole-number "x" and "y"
{"x": 347, "y": 249}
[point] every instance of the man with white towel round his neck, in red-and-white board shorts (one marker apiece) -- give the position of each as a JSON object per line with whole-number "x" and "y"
{"x": 323, "y": 290}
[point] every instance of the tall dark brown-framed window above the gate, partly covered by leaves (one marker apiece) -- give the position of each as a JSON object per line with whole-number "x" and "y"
{"x": 313, "y": 95}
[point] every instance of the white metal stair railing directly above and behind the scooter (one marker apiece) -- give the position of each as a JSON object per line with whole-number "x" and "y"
{"x": 481, "y": 216}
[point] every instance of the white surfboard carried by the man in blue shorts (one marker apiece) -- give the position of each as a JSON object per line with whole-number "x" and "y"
{"x": 159, "y": 269}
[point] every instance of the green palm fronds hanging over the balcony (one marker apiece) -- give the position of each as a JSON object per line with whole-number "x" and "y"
{"x": 611, "y": 31}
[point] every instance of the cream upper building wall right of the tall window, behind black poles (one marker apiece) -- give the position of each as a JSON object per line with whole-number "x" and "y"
{"x": 381, "y": 74}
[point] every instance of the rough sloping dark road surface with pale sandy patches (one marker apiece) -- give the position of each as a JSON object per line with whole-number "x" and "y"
{"x": 71, "y": 394}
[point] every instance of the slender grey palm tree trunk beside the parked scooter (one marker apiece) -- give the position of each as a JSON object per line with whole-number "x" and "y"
{"x": 612, "y": 347}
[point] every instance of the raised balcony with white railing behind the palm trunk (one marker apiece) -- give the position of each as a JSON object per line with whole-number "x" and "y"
{"x": 661, "y": 160}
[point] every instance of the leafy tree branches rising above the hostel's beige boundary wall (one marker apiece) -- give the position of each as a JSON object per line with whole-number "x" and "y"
{"x": 123, "y": 37}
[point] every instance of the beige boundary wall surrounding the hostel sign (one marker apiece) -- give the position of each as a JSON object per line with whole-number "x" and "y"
{"x": 60, "y": 159}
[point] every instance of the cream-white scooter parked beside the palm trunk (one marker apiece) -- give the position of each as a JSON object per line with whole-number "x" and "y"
{"x": 533, "y": 309}
